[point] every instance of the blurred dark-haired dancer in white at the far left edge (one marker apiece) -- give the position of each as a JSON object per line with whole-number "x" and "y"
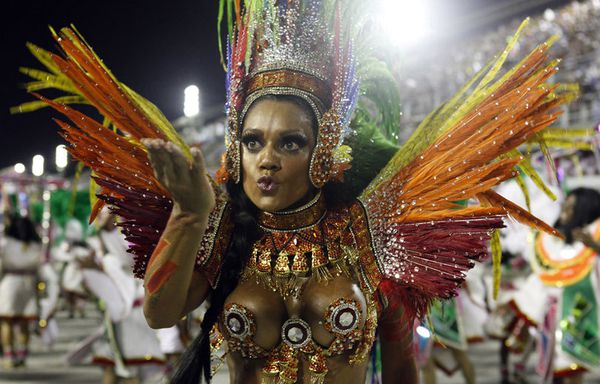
{"x": 20, "y": 257}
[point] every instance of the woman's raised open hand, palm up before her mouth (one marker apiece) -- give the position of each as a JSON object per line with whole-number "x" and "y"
{"x": 187, "y": 182}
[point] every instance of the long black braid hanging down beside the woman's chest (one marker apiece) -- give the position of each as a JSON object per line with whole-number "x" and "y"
{"x": 195, "y": 362}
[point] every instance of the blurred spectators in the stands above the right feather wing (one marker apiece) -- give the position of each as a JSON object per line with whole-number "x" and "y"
{"x": 448, "y": 67}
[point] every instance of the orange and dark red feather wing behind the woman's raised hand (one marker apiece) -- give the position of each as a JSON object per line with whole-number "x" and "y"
{"x": 112, "y": 150}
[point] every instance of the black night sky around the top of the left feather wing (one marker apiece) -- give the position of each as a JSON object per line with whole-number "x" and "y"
{"x": 155, "y": 47}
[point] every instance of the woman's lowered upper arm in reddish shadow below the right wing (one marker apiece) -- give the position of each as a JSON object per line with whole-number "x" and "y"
{"x": 397, "y": 353}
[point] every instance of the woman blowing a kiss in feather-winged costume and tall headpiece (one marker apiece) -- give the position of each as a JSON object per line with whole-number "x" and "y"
{"x": 303, "y": 260}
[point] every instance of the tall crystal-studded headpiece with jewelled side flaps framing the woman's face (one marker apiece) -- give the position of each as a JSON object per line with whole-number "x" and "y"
{"x": 297, "y": 48}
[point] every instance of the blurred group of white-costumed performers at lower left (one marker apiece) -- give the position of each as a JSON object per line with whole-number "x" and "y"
{"x": 56, "y": 263}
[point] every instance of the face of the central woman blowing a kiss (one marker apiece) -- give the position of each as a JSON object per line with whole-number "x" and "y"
{"x": 277, "y": 144}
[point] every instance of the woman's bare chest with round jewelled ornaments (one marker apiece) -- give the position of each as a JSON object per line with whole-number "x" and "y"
{"x": 258, "y": 318}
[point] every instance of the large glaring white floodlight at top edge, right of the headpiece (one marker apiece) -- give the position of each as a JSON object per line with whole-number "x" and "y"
{"x": 405, "y": 22}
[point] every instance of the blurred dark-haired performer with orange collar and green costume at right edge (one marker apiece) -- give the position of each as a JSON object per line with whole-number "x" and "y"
{"x": 569, "y": 273}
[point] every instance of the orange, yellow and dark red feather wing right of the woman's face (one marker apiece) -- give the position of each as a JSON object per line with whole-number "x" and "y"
{"x": 423, "y": 238}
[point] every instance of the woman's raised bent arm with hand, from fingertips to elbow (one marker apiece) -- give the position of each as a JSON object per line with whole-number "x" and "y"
{"x": 172, "y": 286}
